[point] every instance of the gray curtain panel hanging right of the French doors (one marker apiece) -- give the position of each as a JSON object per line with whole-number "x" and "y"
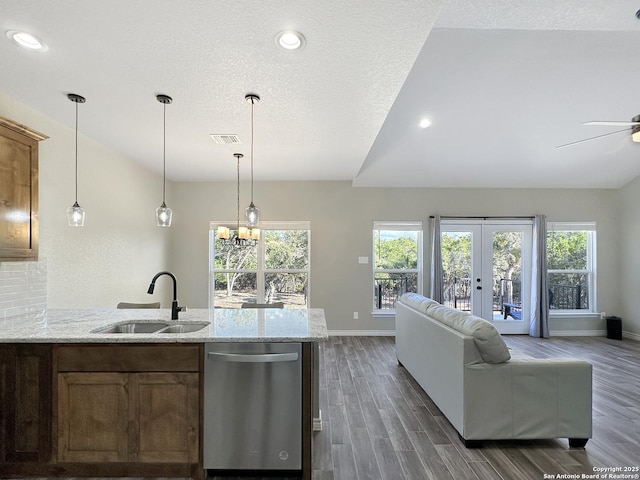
{"x": 539, "y": 323}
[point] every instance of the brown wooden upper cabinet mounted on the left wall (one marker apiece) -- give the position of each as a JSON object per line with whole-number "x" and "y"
{"x": 18, "y": 191}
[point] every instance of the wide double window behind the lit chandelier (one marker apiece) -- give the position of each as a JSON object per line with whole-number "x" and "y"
{"x": 276, "y": 270}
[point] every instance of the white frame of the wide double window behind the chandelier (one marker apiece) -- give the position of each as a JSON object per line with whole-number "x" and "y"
{"x": 261, "y": 271}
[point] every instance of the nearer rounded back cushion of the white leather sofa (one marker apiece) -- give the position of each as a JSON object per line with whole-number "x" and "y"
{"x": 487, "y": 339}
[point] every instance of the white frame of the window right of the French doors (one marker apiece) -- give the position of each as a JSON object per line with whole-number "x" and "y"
{"x": 591, "y": 265}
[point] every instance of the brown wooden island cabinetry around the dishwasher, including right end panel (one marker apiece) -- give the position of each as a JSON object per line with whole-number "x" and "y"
{"x": 110, "y": 410}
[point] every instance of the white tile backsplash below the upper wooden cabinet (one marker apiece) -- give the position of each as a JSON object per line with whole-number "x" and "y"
{"x": 23, "y": 287}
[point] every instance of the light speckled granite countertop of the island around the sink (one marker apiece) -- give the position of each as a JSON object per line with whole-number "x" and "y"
{"x": 221, "y": 325}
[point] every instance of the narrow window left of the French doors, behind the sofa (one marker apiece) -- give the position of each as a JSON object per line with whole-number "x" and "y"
{"x": 397, "y": 264}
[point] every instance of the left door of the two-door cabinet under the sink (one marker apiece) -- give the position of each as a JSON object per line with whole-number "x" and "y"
{"x": 92, "y": 417}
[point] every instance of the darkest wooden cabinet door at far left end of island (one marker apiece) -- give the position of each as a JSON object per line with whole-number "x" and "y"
{"x": 26, "y": 403}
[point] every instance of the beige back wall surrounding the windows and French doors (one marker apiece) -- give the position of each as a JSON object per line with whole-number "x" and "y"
{"x": 342, "y": 219}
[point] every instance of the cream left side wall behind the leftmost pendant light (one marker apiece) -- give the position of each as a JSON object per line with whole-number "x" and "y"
{"x": 115, "y": 255}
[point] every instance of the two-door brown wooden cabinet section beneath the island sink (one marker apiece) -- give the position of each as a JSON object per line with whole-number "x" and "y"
{"x": 130, "y": 404}
